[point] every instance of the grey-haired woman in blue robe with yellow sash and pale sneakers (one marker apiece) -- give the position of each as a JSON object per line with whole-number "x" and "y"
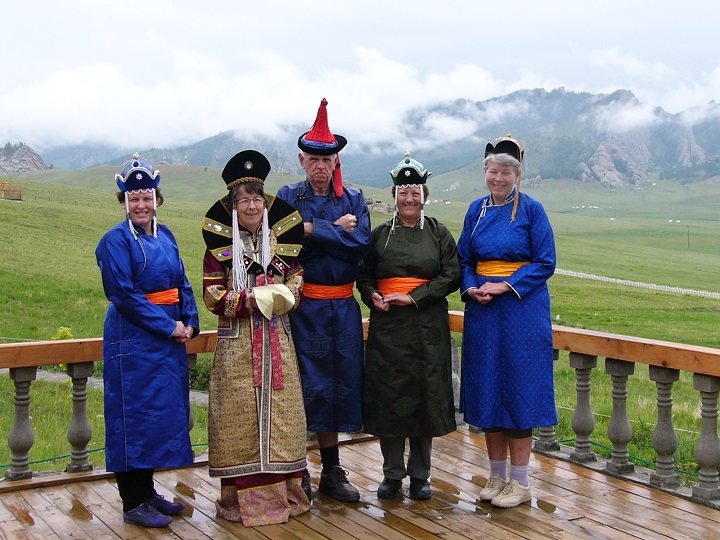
{"x": 507, "y": 254}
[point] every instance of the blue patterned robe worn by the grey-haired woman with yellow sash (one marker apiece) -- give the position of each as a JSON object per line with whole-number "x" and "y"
{"x": 507, "y": 353}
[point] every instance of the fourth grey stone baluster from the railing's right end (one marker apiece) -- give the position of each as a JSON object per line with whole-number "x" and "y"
{"x": 583, "y": 421}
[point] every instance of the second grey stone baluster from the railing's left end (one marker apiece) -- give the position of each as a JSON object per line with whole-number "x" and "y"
{"x": 79, "y": 431}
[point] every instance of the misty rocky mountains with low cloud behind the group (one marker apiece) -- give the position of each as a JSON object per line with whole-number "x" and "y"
{"x": 609, "y": 139}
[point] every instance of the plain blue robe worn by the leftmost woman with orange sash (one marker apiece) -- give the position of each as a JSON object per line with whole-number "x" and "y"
{"x": 145, "y": 371}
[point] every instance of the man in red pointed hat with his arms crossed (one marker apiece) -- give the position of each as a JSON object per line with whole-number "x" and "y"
{"x": 327, "y": 327}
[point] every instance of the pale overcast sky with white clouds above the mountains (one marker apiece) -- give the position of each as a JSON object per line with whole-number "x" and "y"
{"x": 161, "y": 72}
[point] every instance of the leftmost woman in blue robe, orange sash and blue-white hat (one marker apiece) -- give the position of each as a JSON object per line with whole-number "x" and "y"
{"x": 152, "y": 314}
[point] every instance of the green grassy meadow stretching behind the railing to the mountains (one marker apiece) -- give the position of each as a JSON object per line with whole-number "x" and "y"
{"x": 661, "y": 232}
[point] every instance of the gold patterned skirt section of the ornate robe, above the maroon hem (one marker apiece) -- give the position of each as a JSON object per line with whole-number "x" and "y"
{"x": 255, "y": 430}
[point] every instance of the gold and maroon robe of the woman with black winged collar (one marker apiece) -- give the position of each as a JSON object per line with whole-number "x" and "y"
{"x": 255, "y": 429}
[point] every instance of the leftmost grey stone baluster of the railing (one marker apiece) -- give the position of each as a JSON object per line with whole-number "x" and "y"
{"x": 21, "y": 437}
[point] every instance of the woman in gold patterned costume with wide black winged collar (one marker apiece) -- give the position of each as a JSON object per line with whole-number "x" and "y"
{"x": 251, "y": 280}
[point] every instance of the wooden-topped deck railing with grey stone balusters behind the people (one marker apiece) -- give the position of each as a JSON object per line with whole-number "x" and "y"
{"x": 665, "y": 359}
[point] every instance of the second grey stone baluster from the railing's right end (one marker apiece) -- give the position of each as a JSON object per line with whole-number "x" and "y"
{"x": 664, "y": 439}
